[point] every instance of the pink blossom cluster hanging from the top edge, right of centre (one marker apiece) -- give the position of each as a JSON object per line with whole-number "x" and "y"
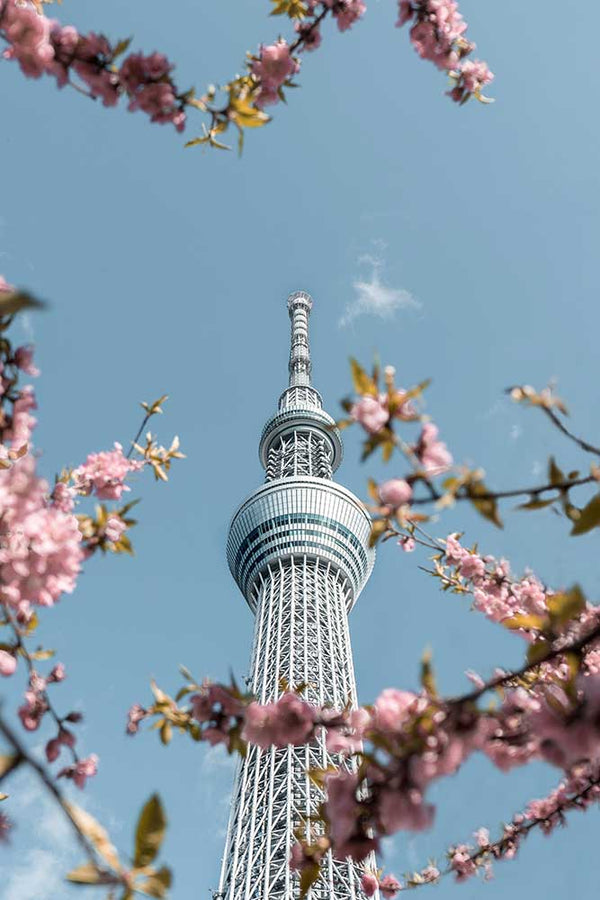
{"x": 438, "y": 35}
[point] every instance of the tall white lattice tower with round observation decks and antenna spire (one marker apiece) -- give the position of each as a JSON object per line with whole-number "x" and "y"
{"x": 298, "y": 549}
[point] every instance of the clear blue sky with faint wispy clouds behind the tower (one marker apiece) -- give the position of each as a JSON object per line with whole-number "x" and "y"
{"x": 167, "y": 271}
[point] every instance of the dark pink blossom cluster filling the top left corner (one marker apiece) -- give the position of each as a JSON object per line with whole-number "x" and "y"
{"x": 42, "y": 46}
